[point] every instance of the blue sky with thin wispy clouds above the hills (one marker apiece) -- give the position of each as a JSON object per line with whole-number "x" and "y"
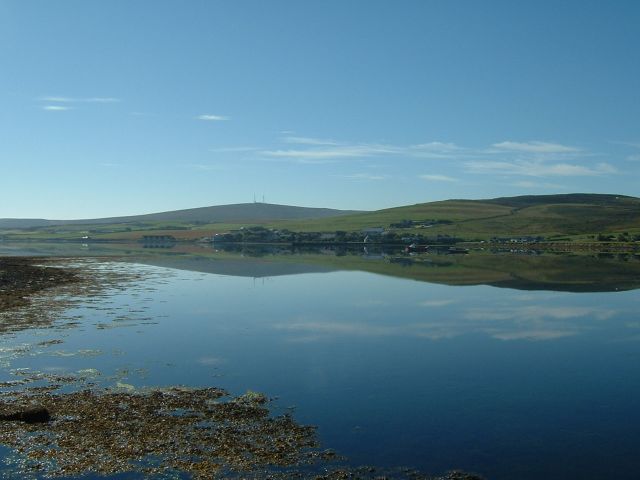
{"x": 126, "y": 107}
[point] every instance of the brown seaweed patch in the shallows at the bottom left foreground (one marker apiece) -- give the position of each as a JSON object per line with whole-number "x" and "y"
{"x": 154, "y": 432}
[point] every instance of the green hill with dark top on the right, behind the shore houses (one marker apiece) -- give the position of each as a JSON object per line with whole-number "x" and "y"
{"x": 546, "y": 215}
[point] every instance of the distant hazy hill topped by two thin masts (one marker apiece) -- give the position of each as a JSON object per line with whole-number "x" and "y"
{"x": 235, "y": 213}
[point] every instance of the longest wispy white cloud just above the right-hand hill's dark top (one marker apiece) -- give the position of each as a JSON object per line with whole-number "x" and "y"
{"x": 537, "y": 168}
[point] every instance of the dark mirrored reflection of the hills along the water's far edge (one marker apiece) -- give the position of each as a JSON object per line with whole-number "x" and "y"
{"x": 520, "y": 270}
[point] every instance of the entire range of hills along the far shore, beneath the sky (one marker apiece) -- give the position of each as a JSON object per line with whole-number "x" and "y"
{"x": 575, "y": 216}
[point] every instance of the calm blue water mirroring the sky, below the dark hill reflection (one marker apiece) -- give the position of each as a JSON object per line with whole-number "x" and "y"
{"x": 508, "y": 383}
